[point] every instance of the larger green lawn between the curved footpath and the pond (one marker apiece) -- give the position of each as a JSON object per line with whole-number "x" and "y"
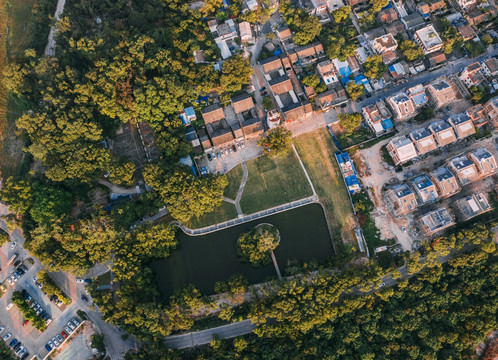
{"x": 273, "y": 182}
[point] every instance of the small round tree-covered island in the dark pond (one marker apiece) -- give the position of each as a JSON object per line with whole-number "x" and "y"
{"x": 256, "y": 245}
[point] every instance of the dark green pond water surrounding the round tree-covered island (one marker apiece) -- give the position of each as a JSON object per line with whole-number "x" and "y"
{"x": 204, "y": 260}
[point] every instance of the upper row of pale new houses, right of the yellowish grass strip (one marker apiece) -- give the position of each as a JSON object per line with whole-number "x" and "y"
{"x": 441, "y": 133}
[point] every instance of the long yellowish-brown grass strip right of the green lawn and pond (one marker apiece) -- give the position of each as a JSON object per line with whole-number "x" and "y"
{"x": 316, "y": 150}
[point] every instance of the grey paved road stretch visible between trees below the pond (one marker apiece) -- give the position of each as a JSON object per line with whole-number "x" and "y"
{"x": 205, "y": 336}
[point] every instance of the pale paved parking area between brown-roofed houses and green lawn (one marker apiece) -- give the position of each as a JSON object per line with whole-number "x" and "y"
{"x": 224, "y": 158}
